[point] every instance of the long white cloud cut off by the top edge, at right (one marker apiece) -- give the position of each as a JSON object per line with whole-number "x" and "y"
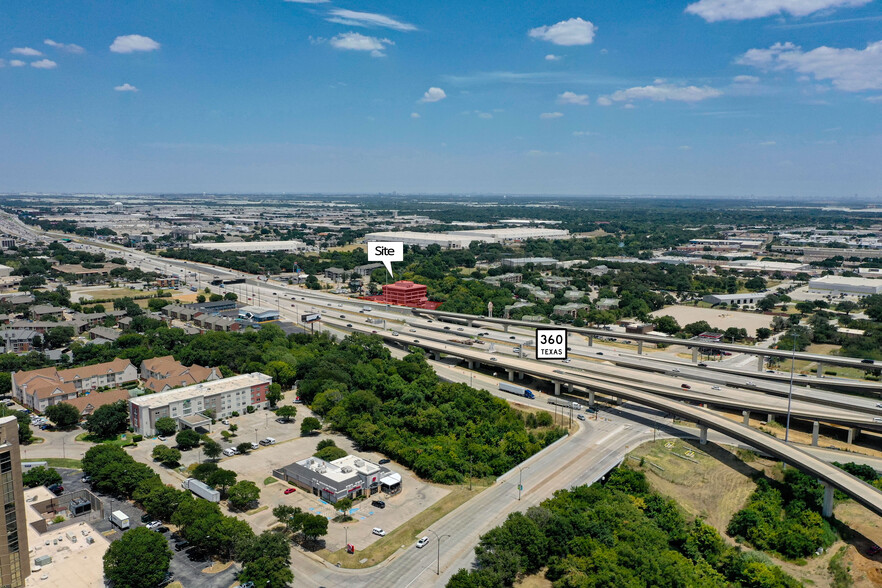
{"x": 717, "y": 10}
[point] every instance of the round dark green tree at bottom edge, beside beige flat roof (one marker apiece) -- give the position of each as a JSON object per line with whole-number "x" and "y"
{"x": 139, "y": 559}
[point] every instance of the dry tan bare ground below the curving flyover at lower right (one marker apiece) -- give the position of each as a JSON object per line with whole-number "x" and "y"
{"x": 713, "y": 482}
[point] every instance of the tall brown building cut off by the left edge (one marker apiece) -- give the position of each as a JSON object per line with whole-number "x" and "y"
{"x": 14, "y": 554}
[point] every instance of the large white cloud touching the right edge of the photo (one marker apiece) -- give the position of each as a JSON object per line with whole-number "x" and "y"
{"x": 850, "y": 70}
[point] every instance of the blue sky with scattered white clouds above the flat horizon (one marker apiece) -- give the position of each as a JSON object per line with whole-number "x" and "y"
{"x": 777, "y": 98}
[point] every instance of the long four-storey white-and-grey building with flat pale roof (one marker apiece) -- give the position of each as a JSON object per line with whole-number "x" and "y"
{"x": 188, "y": 405}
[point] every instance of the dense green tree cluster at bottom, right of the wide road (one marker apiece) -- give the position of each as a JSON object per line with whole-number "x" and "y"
{"x": 621, "y": 534}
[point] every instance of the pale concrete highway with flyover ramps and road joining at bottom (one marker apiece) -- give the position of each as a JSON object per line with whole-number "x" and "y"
{"x": 589, "y": 452}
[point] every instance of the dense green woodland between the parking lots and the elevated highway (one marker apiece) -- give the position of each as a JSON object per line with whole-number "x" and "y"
{"x": 401, "y": 409}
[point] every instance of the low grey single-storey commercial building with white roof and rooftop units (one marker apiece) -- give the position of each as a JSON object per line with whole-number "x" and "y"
{"x": 347, "y": 477}
